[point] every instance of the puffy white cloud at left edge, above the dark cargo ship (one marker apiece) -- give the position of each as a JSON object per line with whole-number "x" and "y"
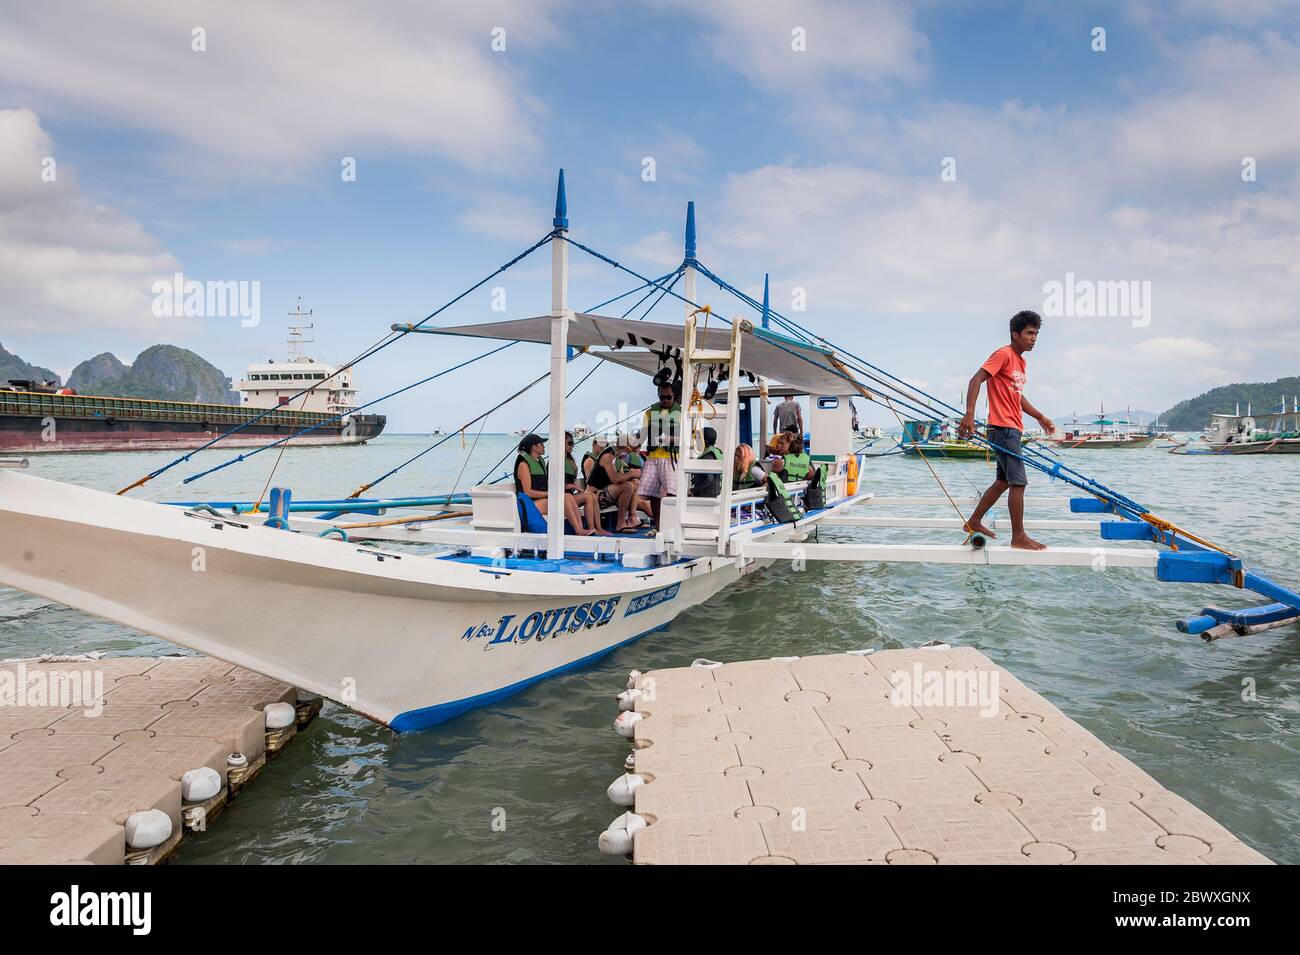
{"x": 67, "y": 262}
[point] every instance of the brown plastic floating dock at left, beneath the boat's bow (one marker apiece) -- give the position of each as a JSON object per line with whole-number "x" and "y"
{"x": 112, "y": 761}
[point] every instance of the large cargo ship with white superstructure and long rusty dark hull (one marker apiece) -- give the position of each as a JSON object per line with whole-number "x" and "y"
{"x": 40, "y": 418}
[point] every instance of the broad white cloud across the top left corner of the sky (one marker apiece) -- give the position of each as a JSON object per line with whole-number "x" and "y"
{"x": 283, "y": 85}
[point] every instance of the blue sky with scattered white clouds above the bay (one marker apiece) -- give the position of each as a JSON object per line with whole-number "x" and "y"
{"x": 909, "y": 175}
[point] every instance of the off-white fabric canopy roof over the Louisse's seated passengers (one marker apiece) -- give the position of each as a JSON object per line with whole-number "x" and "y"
{"x": 804, "y": 368}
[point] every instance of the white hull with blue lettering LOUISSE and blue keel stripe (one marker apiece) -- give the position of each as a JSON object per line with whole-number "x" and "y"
{"x": 409, "y": 640}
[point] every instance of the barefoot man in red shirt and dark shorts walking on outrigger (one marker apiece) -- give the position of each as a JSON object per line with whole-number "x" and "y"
{"x": 1007, "y": 402}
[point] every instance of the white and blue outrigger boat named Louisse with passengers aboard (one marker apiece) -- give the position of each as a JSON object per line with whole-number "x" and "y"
{"x": 326, "y": 597}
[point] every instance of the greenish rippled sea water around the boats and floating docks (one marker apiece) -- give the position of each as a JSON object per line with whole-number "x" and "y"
{"x": 525, "y": 780}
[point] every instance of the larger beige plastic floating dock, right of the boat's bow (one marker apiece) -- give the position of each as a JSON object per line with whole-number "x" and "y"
{"x": 902, "y": 757}
